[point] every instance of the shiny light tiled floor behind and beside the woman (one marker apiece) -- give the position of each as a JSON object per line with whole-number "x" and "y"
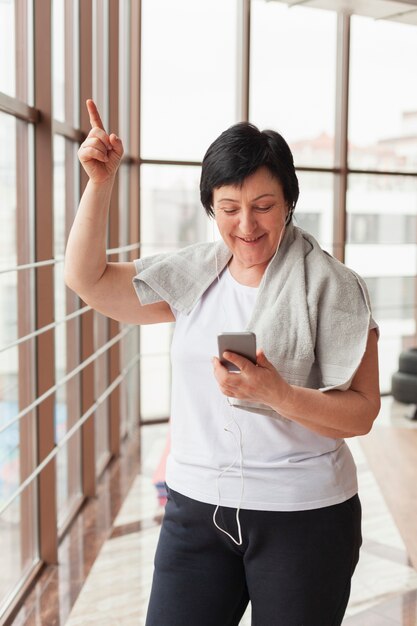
{"x": 106, "y": 560}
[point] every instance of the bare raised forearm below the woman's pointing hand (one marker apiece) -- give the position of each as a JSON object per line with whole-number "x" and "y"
{"x": 85, "y": 256}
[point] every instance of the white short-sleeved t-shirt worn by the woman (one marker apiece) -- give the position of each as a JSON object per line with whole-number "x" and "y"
{"x": 286, "y": 467}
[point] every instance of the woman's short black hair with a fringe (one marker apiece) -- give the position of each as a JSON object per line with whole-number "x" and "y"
{"x": 238, "y": 152}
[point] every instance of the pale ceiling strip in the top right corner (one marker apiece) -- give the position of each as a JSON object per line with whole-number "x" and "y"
{"x": 395, "y": 10}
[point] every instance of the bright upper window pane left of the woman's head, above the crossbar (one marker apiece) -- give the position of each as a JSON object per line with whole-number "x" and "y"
{"x": 188, "y": 76}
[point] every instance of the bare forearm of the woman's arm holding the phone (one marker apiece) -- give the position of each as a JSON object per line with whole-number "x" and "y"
{"x": 331, "y": 413}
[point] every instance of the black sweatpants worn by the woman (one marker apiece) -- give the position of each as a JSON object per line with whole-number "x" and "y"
{"x": 294, "y": 567}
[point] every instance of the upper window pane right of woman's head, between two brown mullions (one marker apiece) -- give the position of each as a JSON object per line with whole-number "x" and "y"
{"x": 292, "y": 79}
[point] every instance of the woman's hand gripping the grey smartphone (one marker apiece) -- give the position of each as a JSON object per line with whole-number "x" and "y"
{"x": 257, "y": 383}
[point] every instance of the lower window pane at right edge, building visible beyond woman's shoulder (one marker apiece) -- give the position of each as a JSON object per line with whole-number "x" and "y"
{"x": 384, "y": 251}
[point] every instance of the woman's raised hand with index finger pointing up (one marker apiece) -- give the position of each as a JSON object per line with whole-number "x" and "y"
{"x": 100, "y": 154}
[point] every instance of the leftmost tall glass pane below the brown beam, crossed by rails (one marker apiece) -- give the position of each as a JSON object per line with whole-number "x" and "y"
{"x": 18, "y": 526}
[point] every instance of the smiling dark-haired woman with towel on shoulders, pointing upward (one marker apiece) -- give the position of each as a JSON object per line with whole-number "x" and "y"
{"x": 262, "y": 490}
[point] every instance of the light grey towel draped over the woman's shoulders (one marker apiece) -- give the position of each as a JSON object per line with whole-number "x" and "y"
{"x": 312, "y": 314}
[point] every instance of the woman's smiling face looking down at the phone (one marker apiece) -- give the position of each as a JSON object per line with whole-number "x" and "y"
{"x": 250, "y": 219}
